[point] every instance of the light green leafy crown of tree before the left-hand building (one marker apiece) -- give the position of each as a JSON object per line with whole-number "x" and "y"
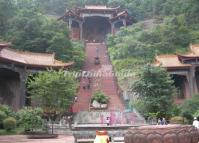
{"x": 53, "y": 90}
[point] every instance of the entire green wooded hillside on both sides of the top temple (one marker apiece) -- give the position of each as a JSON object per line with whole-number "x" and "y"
{"x": 160, "y": 27}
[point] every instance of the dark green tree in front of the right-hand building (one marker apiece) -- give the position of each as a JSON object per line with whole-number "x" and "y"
{"x": 155, "y": 87}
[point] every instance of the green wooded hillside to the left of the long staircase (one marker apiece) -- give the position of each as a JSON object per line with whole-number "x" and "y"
{"x": 25, "y": 25}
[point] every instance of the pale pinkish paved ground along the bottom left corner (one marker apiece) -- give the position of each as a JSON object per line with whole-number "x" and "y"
{"x": 23, "y": 139}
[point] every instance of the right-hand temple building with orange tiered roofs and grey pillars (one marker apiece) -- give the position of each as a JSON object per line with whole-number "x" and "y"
{"x": 184, "y": 69}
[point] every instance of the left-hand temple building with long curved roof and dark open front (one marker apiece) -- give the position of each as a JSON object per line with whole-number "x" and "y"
{"x": 15, "y": 66}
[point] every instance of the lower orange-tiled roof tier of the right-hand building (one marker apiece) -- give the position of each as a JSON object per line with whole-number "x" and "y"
{"x": 169, "y": 61}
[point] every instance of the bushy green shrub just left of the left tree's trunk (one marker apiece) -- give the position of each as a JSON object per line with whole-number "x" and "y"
{"x": 30, "y": 118}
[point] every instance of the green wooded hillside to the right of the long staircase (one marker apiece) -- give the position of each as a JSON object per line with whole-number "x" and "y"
{"x": 168, "y": 27}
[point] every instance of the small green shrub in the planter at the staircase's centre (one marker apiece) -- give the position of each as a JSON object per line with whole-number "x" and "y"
{"x": 100, "y": 97}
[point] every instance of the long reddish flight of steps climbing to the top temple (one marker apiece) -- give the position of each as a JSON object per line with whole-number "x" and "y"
{"x": 106, "y": 84}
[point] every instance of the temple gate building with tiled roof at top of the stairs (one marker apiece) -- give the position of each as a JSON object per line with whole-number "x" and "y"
{"x": 93, "y": 23}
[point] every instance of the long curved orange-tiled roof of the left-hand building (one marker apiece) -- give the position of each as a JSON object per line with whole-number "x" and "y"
{"x": 30, "y": 59}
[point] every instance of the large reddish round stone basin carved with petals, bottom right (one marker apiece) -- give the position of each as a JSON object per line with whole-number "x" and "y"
{"x": 162, "y": 134}
